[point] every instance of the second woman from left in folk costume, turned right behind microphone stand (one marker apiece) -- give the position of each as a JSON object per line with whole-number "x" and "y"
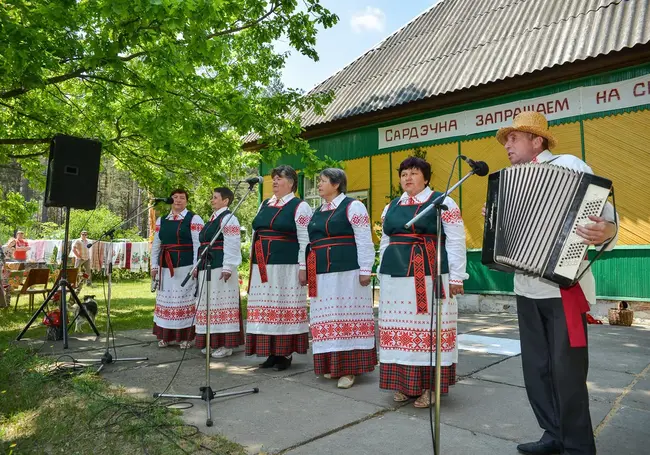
{"x": 225, "y": 253}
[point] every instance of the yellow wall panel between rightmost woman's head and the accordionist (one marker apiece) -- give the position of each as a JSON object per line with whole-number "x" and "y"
{"x": 475, "y": 188}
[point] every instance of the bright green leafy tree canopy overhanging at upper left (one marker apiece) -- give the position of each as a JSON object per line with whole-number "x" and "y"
{"x": 170, "y": 87}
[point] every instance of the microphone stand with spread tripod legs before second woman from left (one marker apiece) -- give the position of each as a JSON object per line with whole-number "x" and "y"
{"x": 206, "y": 392}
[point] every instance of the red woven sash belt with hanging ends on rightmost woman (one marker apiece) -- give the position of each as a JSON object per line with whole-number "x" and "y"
{"x": 421, "y": 245}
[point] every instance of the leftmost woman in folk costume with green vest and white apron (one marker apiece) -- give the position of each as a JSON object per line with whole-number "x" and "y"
{"x": 174, "y": 250}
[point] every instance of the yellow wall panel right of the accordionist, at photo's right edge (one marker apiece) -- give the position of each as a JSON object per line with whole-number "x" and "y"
{"x": 616, "y": 147}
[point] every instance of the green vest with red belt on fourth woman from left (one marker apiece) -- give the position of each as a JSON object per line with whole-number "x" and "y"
{"x": 332, "y": 240}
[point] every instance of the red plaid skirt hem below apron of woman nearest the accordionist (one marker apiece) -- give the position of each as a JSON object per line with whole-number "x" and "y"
{"x": 411, "y": 380}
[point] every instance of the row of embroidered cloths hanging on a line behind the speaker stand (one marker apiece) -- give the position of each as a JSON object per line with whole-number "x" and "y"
{"x": 134, "y": 256}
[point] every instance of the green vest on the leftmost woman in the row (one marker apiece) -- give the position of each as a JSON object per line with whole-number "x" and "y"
{"x": 176, "y": 246}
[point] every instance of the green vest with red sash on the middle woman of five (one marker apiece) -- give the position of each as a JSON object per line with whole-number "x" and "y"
{"x": 275, "y": 228}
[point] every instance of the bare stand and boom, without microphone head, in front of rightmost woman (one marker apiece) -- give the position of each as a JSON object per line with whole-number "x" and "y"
{"x": 438, "y": 206}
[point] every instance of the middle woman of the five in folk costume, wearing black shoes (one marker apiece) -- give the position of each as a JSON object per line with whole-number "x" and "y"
{"x": 277, "y": 323}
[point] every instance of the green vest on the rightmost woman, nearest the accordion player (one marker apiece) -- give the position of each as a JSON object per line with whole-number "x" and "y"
{"x": 397, "y": 258}
